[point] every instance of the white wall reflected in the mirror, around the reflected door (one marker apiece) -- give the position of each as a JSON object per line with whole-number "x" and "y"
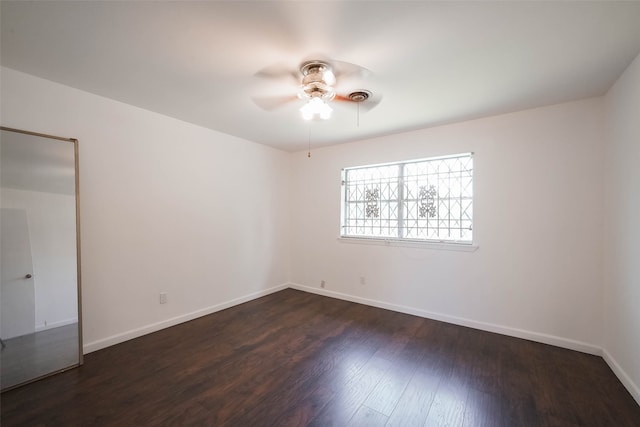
{"x": 51, "y": 220}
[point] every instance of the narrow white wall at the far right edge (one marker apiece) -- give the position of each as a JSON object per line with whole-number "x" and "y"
{"x": 622, "y": 229}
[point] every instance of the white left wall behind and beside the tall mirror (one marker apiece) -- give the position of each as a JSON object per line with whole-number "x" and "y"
{"x": 165, "y": 206}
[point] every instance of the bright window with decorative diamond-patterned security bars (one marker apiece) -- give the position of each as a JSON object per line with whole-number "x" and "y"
{"x": 417, "y": 200}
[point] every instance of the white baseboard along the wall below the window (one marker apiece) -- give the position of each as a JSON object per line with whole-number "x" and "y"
{"x": 490, "y": 327}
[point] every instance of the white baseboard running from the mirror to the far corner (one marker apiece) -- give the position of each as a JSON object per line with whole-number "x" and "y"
{"x": 138, "y": 332}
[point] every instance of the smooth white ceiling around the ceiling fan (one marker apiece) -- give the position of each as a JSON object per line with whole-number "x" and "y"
{"x": 433, "y": 62}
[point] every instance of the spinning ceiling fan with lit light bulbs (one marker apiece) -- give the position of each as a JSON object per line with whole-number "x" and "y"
{"x": 317, "y": 85}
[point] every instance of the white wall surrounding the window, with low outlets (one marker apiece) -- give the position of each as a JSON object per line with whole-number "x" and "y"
{"x": 537, "y": 272}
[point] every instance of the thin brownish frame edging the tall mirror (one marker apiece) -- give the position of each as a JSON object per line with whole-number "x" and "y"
{"x": 78, "y": 251}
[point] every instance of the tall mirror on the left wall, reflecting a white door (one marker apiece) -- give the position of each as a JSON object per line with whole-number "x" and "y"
{"x": 40, "y": 326}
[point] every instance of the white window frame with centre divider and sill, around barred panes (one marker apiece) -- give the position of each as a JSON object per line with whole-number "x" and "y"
{"x": 398, "y": 237}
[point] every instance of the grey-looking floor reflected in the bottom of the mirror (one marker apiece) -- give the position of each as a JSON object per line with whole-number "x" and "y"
{"x": 34, "y": 355}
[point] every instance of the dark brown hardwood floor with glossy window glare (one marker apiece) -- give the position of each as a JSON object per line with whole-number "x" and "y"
{"x": 298, "y": 359}
